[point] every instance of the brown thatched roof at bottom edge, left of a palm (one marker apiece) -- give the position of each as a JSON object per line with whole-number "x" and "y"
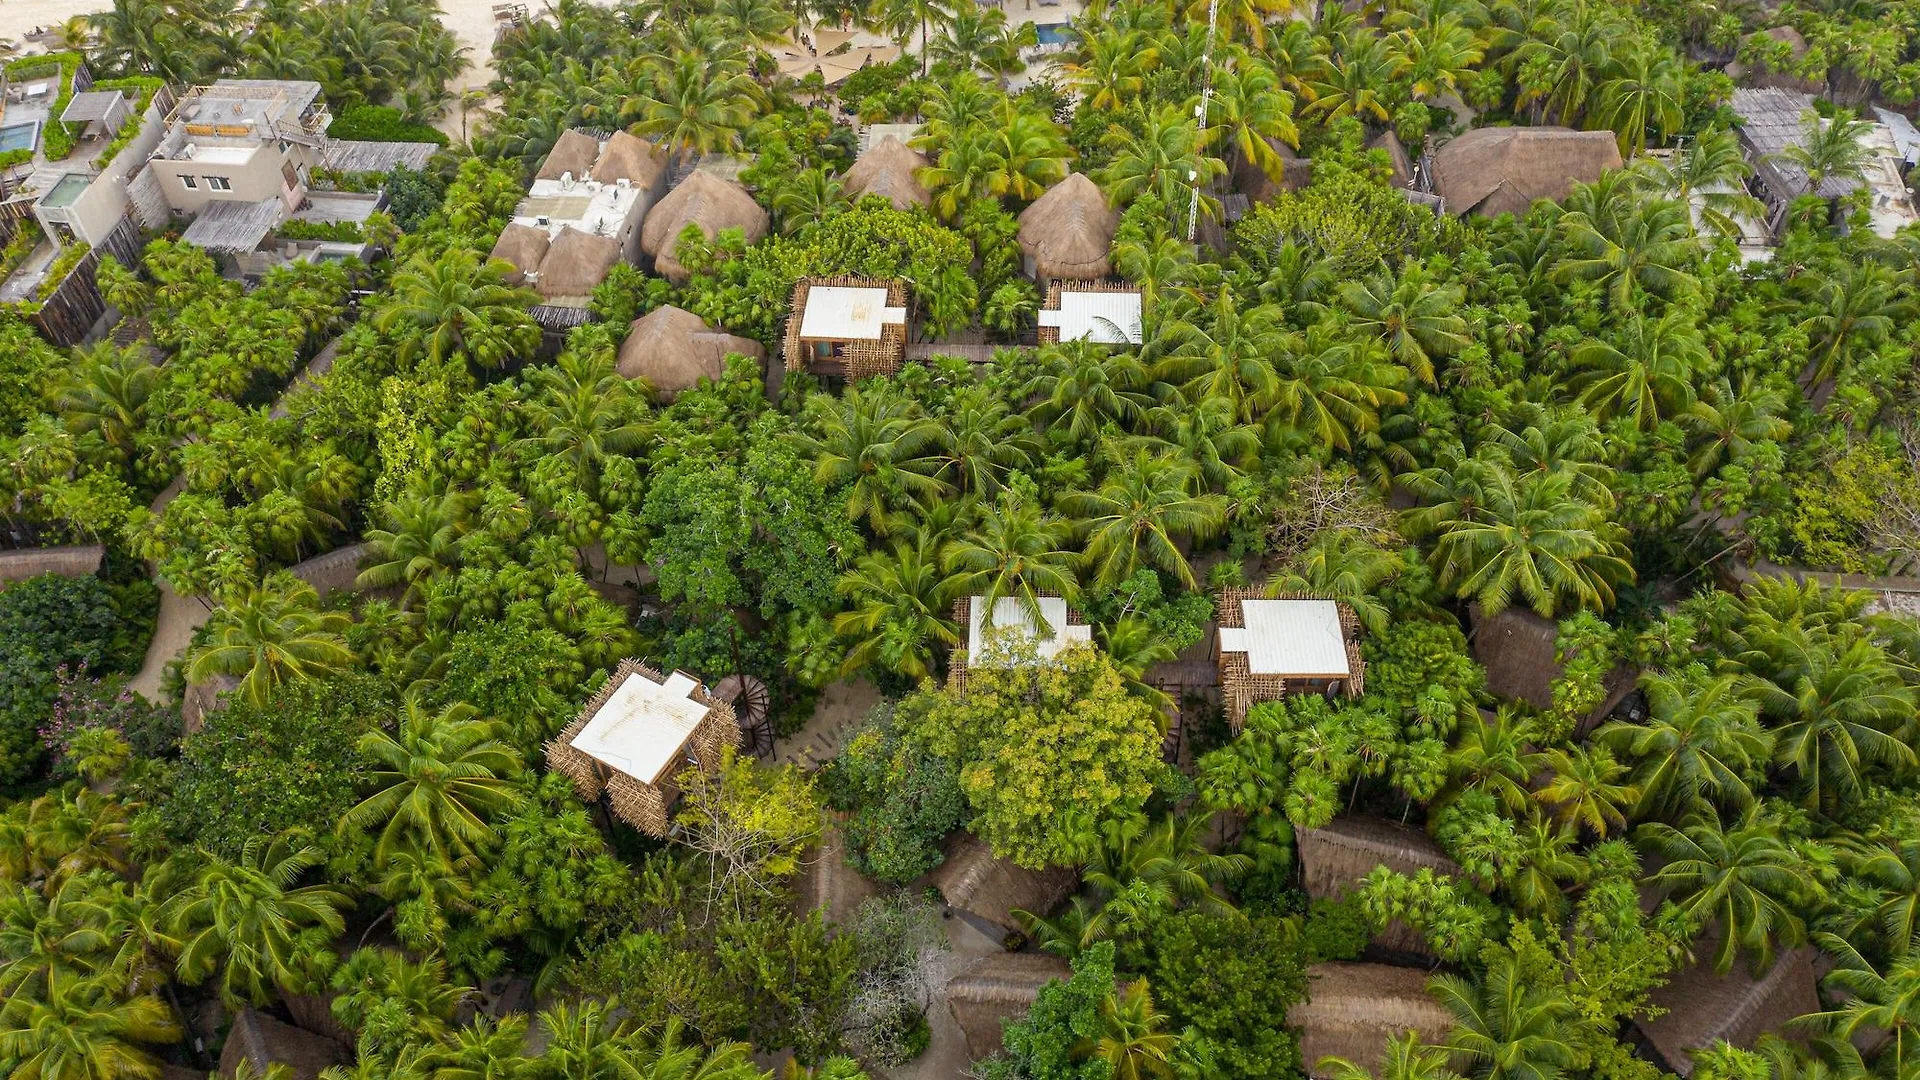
{"x": 1355, "y": 1008}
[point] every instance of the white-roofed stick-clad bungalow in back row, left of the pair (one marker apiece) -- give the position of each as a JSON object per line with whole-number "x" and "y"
{"x": 848, "y": 326}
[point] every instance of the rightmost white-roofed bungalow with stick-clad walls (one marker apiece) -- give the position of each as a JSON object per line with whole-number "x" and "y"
{"x": 1276, "y": 647}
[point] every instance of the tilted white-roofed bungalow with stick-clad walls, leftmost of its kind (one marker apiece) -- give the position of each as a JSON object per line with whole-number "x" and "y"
{"x": 636, "y": 735}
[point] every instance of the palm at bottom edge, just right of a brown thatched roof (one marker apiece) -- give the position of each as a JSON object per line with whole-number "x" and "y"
{"x": 1508, "y": 1027}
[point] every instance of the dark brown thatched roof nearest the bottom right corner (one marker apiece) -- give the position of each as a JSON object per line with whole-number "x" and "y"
{"x": 1704, "y": 1008}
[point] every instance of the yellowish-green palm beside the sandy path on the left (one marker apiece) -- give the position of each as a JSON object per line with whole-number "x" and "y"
{"x": 274, "y": 635}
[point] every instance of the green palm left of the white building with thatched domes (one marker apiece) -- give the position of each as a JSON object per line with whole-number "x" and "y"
{"x": 460, "y": 307}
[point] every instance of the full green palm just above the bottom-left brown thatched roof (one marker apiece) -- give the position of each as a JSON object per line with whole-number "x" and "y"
{"x": 251, "y": 921}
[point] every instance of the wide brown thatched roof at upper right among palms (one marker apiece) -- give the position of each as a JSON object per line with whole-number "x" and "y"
{"x": 1506, "y": 170}
